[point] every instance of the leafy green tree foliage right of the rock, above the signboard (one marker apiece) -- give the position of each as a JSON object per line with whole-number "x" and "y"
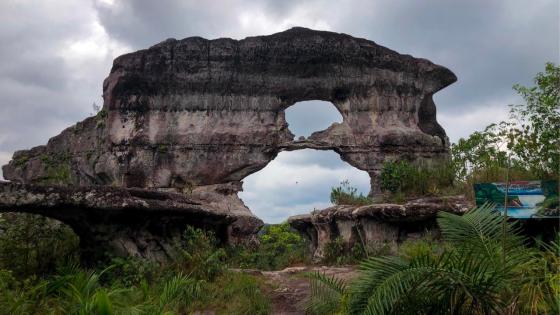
{"x": 529, "y": 142}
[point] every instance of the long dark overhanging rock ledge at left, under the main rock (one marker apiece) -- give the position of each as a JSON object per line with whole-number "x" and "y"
{"x": 120, "y": 221}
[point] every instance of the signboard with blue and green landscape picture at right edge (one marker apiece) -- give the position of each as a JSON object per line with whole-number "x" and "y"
{"x": 526, "y": 199}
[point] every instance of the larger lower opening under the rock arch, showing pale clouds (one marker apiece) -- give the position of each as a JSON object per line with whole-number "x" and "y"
{"x": 297, "y": 182}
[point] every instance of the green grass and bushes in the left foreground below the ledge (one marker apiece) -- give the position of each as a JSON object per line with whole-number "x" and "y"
{"x": 195, "y": 279}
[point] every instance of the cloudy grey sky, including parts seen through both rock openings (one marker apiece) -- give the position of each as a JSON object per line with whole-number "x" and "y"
{"x": 54, "y": 55}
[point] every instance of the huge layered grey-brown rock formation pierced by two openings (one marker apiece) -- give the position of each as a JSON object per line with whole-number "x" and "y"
{"x": 197, "y": 116}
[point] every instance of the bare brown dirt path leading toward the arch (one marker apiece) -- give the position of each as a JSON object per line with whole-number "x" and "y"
{"x": 289, "y": 288}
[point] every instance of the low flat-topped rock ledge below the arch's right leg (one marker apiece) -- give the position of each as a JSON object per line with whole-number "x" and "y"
{"x": 375, "y": 226}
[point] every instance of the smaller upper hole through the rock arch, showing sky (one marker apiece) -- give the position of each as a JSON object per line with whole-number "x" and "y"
{"x": 307, "y": 117}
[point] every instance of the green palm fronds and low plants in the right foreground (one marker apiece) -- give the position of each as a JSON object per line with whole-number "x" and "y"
{"x": 485, "y": 268}
